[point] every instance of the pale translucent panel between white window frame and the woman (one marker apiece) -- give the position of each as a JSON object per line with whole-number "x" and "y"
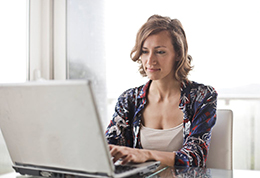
{"x": 85, "y": 46}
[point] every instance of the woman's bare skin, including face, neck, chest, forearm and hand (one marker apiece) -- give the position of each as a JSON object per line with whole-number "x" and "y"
{"x": 162, "y": 109}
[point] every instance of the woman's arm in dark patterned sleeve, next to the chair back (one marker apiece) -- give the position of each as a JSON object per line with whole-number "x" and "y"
{"x": 198, "y": 129}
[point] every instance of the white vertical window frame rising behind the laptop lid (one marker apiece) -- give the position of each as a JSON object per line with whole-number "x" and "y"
{"x": 47, "y": 40}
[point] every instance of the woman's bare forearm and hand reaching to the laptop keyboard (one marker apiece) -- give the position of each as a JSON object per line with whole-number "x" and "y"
{"x": 136, "y": 155}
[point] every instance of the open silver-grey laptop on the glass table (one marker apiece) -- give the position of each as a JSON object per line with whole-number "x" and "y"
{"x": 52, "y": 129}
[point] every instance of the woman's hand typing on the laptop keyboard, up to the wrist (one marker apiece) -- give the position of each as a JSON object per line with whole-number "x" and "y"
{"x": 127, "y": 154}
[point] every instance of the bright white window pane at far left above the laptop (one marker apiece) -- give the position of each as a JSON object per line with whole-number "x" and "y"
{"x": 13, "y": 42}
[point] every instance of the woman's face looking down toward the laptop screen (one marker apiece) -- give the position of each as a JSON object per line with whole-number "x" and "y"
{"x": 158, "y": 57}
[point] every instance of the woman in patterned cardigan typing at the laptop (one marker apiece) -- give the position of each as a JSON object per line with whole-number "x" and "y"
{"x": 169, "y": 119}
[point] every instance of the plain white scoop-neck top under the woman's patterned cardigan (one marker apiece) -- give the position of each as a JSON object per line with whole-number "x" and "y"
{"x": 162, "y": 140}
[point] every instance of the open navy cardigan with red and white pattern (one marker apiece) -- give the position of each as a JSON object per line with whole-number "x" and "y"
{"x": 198, "y": 103}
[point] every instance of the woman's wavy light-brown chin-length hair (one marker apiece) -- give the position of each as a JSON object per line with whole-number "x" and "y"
{"x": 156, "y": 24}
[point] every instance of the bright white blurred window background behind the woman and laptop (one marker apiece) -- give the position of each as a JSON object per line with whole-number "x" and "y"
{"x": 223, "y": 38}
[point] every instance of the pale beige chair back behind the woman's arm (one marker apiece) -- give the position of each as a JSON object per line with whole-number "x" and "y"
{"x": 220, "y": 151}
